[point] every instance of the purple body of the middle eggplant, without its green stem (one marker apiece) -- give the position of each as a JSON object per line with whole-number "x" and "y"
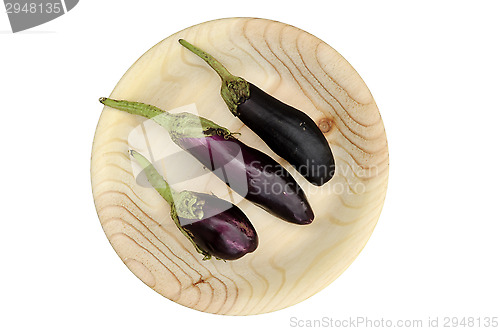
{"x": 264, "y": 181}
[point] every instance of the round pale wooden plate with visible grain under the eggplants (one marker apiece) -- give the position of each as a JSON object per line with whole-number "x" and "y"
{"x": 292, "y": 262}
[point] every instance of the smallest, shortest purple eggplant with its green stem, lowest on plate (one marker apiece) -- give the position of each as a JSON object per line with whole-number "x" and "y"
{"x": 214, "y": 226}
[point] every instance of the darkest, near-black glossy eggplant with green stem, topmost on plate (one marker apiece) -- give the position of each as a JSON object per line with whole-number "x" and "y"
{"x": 289, "y": 132}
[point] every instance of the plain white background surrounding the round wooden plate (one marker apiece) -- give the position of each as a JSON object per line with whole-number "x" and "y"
{"x": 433, "y": 68}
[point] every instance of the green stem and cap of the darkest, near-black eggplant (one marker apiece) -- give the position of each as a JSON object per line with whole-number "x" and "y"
{"x": 234, "y": 90}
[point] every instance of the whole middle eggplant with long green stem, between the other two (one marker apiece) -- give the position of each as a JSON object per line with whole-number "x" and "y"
{"x": 251, "y": 173}
